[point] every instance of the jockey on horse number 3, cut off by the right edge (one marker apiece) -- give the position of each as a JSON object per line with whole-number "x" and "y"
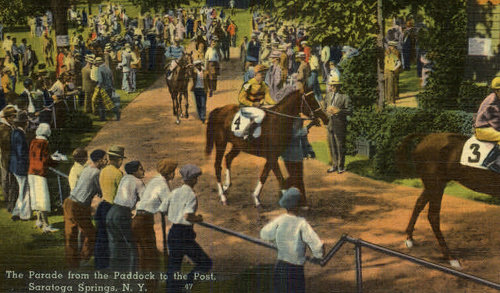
{"x": 487, "y": 125}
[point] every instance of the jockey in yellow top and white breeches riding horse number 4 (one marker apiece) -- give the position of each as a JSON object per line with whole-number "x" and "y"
{"x": 253, "y": 95}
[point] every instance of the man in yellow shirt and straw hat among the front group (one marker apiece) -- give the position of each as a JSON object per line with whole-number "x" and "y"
{"x": 109, "y": 179}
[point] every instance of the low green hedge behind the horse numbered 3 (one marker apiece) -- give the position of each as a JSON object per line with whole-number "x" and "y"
{"x": 387, "y": 128}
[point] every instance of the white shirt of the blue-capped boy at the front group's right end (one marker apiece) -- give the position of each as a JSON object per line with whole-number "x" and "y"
{"x": 182, "y": 201}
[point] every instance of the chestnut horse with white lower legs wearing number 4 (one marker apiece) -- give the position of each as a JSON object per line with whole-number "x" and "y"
{"x": 276, "y": 134}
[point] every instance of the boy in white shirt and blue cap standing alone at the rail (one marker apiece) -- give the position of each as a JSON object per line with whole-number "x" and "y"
{"x": 291, "y": 234}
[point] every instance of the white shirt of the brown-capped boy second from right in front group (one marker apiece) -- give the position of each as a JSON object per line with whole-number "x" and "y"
{"x": 155, "y": 193}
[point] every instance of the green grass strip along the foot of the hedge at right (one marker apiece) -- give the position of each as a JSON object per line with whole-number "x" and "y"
{"x": 361, "y": 165}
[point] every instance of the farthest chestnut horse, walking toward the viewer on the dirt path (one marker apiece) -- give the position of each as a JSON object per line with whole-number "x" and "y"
{"x": 178, "y": 85}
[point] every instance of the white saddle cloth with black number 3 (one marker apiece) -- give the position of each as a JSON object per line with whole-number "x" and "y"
{"x": 481, "y": 154}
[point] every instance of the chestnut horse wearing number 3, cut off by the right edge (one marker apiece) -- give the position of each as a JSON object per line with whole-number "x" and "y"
{"x": 437, "y": 161}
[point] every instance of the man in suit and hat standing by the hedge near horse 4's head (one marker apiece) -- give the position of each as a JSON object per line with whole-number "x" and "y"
{"x": 338, "y": 107}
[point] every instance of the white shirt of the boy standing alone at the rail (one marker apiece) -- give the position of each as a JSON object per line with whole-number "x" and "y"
{"x": 291, "y": 234}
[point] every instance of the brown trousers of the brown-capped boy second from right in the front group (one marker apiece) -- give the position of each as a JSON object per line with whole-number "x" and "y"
{"x": 145, "y": 241}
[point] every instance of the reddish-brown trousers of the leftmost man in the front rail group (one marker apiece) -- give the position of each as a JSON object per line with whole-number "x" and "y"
{"x": 77, "y": 216}
